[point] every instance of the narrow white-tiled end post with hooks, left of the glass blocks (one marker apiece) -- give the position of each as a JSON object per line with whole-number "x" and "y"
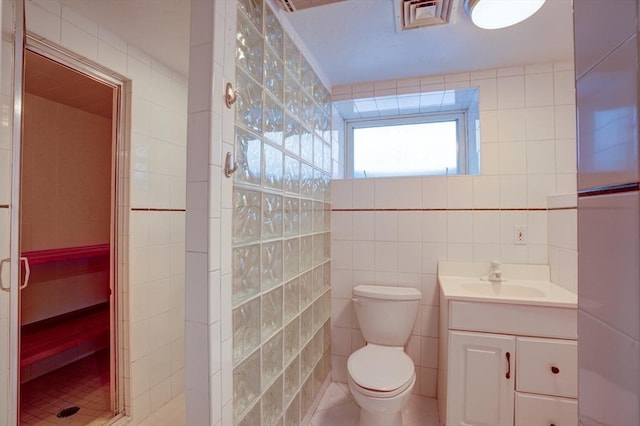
{"x": 209, "y": 349}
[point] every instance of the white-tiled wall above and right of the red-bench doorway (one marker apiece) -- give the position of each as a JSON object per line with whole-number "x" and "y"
{"x": 156, "y": 239}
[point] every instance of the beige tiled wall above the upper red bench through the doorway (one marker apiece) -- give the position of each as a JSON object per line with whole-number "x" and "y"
{"x": 66, "y": 176}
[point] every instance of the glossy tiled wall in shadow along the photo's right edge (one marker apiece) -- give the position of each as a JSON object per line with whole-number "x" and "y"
{"x": 609, "y": 246}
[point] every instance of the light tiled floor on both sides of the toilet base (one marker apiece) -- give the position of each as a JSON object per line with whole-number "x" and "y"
{"x": 337, "y": 408}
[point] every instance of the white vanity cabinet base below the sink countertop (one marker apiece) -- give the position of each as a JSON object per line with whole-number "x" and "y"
{"x": 504, "y": 365}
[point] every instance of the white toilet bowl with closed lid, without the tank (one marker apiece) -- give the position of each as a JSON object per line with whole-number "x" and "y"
{"x": 381, "y": 380}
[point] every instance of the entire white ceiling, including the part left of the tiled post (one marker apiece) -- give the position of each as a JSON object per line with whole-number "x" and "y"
{"x": 356, "y": 40}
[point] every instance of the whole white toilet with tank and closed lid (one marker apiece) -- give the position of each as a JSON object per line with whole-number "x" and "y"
{"x": 381, "y": 375}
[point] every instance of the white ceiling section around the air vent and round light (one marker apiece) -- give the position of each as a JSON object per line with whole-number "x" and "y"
{"x": 359, "y": 38}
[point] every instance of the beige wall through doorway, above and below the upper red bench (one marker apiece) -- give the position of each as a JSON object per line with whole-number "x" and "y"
{"x": 66, "y": 202}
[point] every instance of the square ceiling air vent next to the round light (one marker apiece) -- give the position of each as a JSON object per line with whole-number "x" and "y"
{"x": 412, "y": 14}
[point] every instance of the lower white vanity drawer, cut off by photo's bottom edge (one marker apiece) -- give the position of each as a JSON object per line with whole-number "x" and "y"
{"x": 538, "y": 410}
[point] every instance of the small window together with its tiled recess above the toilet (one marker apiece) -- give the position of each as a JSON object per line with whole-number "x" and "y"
{"x": 414, "y": 134}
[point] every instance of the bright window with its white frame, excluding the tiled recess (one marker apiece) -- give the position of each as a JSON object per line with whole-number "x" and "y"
{"x": 429, "y": 144}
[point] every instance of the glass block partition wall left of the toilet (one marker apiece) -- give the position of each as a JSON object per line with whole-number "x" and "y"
{"x": 281, "y": 222}
